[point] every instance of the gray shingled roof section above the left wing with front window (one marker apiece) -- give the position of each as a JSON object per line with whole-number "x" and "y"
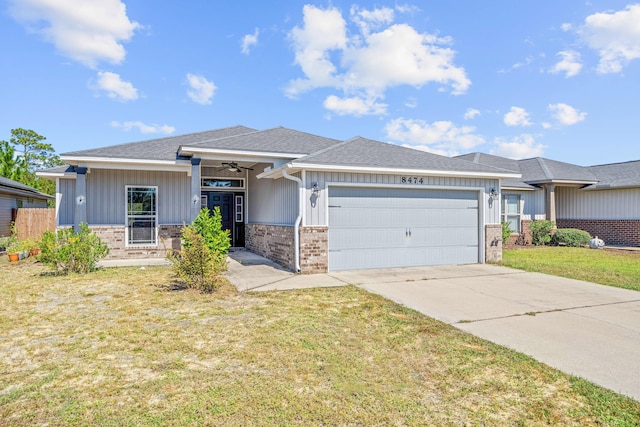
{"x": 159, "y": 149}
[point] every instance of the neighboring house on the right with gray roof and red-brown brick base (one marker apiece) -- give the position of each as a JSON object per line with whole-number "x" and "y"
{"x": 603, "y": 200}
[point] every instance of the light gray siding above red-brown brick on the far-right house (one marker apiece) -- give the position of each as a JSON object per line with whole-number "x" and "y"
{"x": 573, "y": 203}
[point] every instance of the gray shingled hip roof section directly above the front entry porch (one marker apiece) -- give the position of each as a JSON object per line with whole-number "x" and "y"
{"x": 276, "y": 140}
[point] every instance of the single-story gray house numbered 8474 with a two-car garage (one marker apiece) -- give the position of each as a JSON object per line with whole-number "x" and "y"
{"x": 310, "y": 203}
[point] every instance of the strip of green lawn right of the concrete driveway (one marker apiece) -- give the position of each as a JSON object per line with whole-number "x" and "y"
{"x": 613, "y": 268}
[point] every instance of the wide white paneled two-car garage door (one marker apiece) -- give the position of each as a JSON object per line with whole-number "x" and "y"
{"x": 378, "y": 227}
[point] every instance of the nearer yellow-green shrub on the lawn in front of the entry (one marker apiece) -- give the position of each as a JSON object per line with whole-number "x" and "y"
{"x": 196, "y": 265}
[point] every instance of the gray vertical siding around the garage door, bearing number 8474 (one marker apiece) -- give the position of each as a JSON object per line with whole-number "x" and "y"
{"x": 316, "y": 208}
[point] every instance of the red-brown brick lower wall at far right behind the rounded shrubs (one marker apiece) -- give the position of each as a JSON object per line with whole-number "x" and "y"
{"x": 619, "y": 232}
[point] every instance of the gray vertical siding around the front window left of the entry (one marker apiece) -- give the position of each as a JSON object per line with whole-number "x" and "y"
{"x": 106, "y": 195}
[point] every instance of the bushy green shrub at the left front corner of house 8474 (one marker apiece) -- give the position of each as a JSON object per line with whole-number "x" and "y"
{"x": 67, "y": 251}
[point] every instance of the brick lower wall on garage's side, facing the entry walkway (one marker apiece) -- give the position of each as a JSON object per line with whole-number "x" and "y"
{"x": 272, "y": 241}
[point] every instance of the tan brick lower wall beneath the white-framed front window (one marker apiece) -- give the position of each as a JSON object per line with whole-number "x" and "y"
{"x": 114, "y": 237}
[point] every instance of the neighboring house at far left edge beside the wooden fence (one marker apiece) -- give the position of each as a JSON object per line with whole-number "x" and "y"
{"x": 14, "y": 195}
